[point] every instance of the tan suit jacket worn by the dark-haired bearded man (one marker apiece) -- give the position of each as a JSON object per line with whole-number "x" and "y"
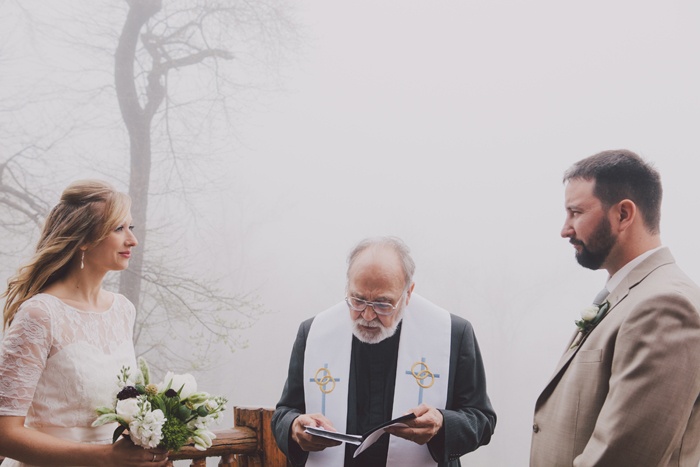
{"x": 629, "y": 394}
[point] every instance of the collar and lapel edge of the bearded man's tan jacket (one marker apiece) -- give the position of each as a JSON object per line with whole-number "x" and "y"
{"x": 634, "y": 278}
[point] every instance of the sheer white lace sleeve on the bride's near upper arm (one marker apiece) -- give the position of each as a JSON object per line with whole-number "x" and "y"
{"x": 25, "y": 348}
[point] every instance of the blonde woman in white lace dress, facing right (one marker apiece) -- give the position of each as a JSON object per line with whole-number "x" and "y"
{"x": 66, "y": 338}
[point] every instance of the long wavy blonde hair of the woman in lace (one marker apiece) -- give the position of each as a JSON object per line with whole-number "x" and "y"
{"x": 88, "y": 211}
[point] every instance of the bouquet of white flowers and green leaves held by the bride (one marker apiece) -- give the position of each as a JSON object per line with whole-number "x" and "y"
{"x": 168, "y": 414}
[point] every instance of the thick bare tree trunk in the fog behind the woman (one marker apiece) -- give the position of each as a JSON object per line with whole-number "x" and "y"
{"x": 175, "y": 46}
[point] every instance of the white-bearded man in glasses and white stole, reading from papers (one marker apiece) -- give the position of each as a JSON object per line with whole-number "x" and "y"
{"x": 383, "y": 352}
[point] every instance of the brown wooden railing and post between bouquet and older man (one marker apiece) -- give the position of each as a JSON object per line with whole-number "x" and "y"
{"x": 248, "y": 444}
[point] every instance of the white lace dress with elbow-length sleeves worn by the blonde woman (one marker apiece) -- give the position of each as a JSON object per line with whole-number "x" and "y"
{"x": 57, "y": 364}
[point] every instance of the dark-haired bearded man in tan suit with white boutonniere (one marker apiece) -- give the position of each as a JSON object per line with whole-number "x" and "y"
{"x": 626, "y": 392}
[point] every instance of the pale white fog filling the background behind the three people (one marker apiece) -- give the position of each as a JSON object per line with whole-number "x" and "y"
{"x": 447, "y": 124}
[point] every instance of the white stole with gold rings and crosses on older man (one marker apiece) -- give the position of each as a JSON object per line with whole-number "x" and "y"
{"x": 422, "y": 374}
